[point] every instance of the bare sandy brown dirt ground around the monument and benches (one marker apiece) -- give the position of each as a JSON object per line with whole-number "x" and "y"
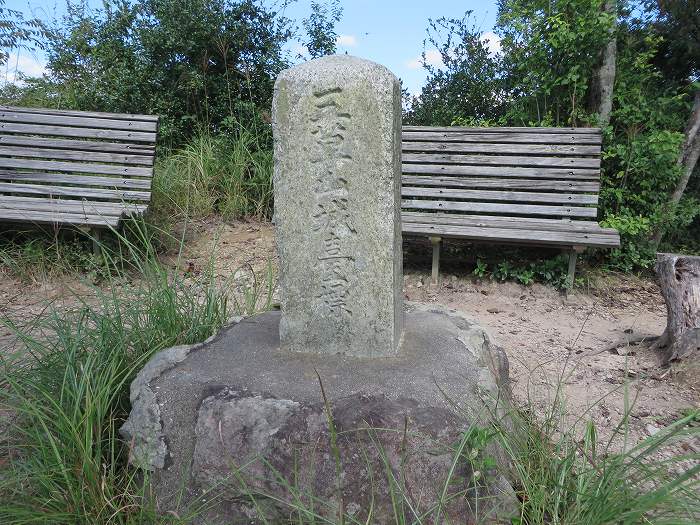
{"x": 555, "y": 344}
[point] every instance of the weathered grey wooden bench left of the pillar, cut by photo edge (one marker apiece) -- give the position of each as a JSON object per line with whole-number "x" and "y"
{"x": 73, "y": 167}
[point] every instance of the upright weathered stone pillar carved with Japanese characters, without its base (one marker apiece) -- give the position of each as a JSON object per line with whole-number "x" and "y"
{"x": 337, "y": 132}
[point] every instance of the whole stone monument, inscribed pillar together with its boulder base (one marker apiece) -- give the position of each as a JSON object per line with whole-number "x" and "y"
{"x": 325, "y": 403}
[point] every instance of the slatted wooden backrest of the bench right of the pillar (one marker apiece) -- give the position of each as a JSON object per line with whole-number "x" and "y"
{"x": 519, "y": 172}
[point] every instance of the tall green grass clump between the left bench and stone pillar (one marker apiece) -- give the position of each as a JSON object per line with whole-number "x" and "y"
{"x": 229, "y": 174}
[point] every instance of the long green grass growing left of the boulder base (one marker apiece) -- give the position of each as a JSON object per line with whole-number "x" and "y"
{"x": 68, "y": 390}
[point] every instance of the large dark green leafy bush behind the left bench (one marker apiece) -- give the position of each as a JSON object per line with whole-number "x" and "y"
{"x": 190, "y": 63}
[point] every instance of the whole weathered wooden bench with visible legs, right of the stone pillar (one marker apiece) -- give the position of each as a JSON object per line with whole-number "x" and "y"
{"x": 521, "y": 186}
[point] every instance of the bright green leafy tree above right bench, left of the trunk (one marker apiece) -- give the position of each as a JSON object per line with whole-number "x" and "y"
{"x": 550, "y": 50}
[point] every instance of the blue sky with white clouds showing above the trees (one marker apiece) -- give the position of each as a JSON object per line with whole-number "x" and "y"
{"x": 390, "y": 32}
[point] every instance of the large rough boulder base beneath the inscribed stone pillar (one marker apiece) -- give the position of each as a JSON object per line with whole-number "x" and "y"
{"x": 238, "y": 428}
